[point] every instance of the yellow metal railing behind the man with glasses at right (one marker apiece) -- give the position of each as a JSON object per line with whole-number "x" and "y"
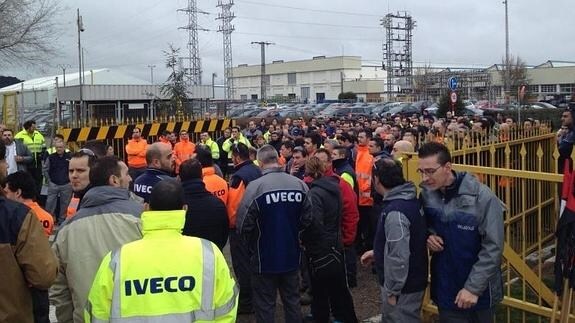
{"x": 522, "y": 172}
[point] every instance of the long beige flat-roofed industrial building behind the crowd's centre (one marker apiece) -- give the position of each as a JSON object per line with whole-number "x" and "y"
{"x": 312, "y": 80}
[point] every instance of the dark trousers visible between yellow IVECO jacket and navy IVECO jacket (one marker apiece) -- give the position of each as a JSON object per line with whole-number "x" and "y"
{"x": 241, "y": 265}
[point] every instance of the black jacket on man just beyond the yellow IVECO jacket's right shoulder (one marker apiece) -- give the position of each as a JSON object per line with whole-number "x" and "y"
{"x": 206, "y": 216}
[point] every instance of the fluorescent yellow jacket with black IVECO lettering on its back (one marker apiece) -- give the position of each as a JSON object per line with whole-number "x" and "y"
{"x": 164, "y": 277}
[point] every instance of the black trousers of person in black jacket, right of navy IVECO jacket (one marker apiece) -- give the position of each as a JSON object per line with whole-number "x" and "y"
{"x": 329, "y": 283}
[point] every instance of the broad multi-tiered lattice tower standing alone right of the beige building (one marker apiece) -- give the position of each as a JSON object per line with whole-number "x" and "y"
{"x": 397, "y": 52}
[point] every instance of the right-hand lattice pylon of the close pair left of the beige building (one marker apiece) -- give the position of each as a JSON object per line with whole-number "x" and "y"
{"x": 226, "y": 29}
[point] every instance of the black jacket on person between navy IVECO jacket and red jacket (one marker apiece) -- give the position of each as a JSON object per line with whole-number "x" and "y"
{"x": 323, "y": 235}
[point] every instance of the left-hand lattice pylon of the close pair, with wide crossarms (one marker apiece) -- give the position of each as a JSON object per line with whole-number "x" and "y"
{"x": 193, "y": 71}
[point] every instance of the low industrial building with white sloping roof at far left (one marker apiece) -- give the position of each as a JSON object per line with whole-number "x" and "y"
{"x": 104, "y": 96}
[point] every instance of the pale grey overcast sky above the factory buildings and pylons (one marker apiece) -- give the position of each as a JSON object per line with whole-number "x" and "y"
{"x": 129, "y": 35}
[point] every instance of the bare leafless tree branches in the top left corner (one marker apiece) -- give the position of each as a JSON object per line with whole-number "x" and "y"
{"x": 27, "y": 31}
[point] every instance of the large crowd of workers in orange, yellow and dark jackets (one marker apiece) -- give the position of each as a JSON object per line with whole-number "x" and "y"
{"x": 300, "y": 202}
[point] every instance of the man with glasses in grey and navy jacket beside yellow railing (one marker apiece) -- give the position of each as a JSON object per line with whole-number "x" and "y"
{"x": 465, "y": 222}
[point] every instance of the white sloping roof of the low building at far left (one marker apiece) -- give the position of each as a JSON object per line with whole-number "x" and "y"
{"x": 102, "y": 76}
